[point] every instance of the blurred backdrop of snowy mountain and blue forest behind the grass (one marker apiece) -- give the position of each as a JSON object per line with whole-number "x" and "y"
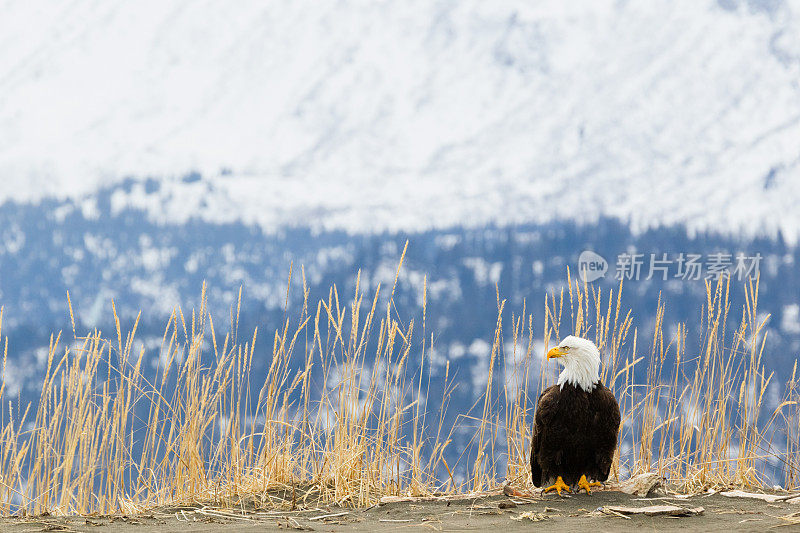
{"x": 148, "y": 146}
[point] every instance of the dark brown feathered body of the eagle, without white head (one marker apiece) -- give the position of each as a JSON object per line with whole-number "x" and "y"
{"x": 574, "y": 434}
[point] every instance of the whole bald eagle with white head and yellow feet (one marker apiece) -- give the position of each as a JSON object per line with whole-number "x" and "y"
{"x": 576, "y": 422}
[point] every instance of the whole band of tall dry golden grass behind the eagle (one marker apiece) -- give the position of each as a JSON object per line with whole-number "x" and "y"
{"x": 344, "y": 409}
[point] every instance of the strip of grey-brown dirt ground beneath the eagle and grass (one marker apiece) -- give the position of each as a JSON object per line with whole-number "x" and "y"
{"x": 581, "y": 512}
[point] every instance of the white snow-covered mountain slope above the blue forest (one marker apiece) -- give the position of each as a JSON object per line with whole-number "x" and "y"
{"x": 408, "y": 115}
